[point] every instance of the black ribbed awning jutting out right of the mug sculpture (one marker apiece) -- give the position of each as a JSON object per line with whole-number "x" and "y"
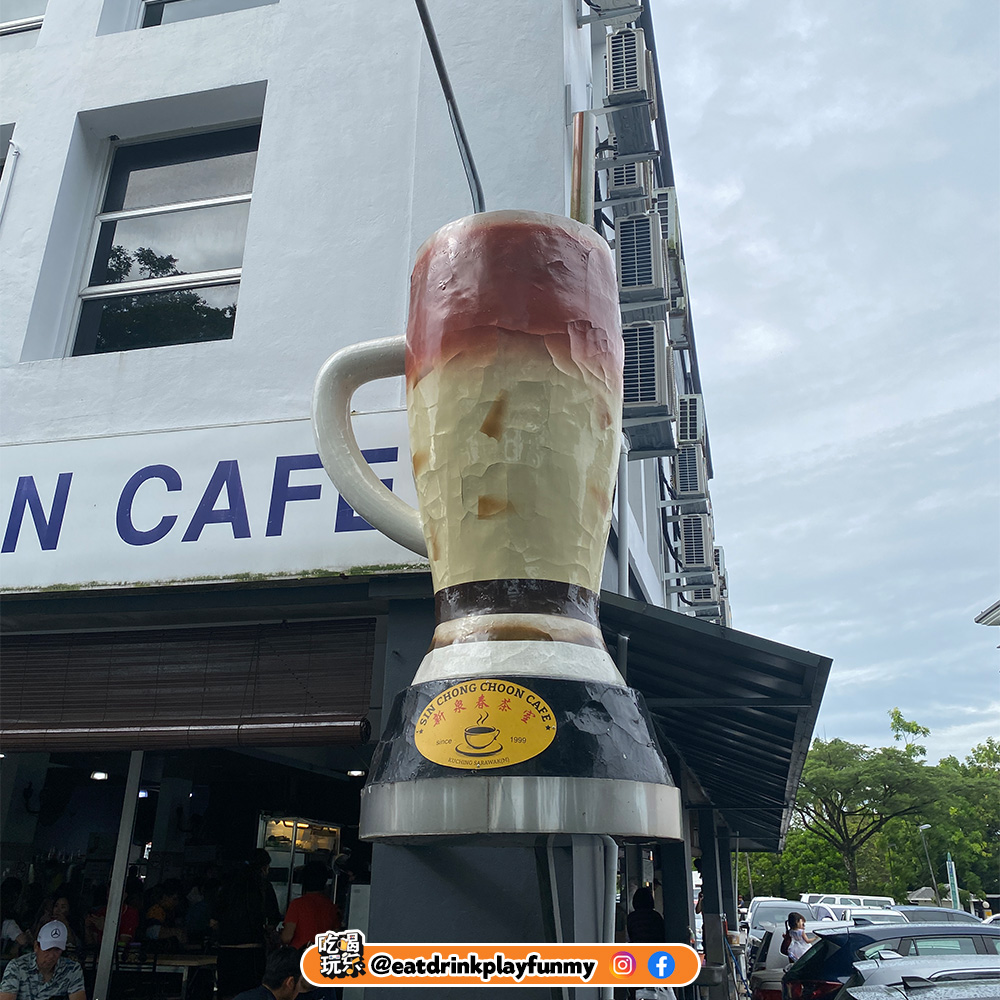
{"x": 736, "y": 709}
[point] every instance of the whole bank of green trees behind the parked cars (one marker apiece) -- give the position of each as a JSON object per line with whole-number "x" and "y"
{"x": 858, "y": 811}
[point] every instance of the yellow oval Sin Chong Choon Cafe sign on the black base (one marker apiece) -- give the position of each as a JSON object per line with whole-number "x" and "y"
{"x": 484, "y": 723}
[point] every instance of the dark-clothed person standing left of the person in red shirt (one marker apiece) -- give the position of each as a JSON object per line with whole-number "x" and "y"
{"x": 246, "y": 915}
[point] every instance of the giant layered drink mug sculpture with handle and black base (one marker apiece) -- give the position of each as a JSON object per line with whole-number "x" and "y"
{"x": 517, "y": 720}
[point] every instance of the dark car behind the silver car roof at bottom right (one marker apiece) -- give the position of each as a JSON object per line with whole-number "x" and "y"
{"x": 822, "y": 971}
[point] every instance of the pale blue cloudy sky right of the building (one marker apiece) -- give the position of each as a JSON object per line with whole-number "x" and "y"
{"x": 837, "y": 177}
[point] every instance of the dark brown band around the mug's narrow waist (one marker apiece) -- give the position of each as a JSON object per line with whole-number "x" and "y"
{"x": 517, "y": 597}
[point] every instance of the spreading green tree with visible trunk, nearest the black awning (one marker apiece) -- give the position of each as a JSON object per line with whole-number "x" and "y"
{"x": 850, "y": 792}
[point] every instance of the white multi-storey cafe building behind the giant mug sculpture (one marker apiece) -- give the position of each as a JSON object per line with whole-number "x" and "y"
{"x": 196, "y": 213}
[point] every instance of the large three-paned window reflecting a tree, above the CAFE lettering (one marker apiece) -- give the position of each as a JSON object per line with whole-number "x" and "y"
{"x": 169, "y": 243}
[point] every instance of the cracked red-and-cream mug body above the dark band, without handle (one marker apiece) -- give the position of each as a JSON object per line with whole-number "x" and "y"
{"x": 514, "y": 367}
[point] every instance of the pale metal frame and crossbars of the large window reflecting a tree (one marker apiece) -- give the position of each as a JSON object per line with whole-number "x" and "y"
{"x": 87, "y": 292}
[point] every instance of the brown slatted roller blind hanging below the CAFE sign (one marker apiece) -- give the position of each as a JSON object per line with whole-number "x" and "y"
{"x": 259, "y": 685}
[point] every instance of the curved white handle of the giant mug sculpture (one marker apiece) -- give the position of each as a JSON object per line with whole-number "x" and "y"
{"x": 341, "y": 375}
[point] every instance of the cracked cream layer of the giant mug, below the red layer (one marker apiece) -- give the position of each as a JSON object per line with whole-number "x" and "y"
{"x": 514, "y": 453}
